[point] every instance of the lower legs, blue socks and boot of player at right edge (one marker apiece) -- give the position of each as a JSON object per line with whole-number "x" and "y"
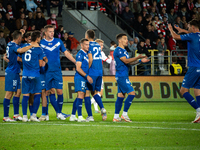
{"x": 190, "y": 99}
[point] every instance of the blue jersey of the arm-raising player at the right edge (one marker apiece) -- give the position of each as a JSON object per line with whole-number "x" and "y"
{"x": 193, "y": 48}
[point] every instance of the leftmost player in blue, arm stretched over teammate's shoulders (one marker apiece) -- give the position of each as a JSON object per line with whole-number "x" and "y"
{"x": 12, "y": 79}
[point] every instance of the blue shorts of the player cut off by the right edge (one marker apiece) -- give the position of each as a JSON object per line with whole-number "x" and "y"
{"x": 192, "y": 78}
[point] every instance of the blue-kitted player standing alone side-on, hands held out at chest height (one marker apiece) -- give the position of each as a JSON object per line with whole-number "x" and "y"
{"x": 124, "y": 85}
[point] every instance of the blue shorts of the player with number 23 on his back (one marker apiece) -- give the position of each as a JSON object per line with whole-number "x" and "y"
{"x": 96, "y": 85}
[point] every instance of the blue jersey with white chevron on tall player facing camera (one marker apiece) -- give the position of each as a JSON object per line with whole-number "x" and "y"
{"x": 52, "y": 50}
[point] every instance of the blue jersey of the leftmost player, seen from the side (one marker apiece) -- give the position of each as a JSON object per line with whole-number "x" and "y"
{"x": 11, "y": 51}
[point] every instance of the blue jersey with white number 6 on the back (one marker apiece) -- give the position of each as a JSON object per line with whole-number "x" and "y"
{"x": 30, "y": 60}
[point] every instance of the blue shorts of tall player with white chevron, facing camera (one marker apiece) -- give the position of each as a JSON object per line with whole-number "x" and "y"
{"x": 54, "y": 80}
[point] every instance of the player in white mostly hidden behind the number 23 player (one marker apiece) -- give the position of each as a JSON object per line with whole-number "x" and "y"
{"x": 104, "y": 59}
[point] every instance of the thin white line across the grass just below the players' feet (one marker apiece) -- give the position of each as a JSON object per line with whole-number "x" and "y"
{"x": 111, "y": 126}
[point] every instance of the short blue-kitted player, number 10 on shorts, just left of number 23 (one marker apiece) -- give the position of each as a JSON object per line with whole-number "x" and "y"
{"x": 80, "y": 79}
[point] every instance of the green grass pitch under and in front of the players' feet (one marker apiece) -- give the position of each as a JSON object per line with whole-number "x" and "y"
{"x": 155, "y": 126}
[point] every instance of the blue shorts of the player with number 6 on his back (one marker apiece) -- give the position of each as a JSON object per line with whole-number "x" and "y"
{"x": 31, "y": 85}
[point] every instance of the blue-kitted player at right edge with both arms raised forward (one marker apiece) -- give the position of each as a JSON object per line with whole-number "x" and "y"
{"x": 192, "y": 77}
